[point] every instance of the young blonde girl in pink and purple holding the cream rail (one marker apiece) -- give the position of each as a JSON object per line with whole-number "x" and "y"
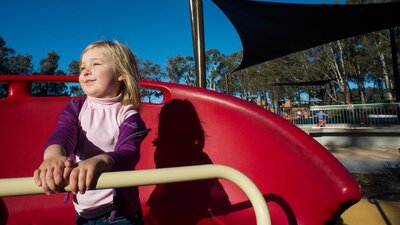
{"x": 100, "y": 133}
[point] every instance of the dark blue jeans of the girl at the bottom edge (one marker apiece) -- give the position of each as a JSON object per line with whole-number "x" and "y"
{"x": 134, "y": 219}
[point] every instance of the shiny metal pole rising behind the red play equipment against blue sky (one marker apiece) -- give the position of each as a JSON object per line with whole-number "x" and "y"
{"x": 196, "y": 18}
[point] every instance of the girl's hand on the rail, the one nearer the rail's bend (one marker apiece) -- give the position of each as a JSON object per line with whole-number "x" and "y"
{"x": 83, "y": 176}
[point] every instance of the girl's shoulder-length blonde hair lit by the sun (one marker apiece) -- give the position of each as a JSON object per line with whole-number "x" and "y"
{"x": 125, "y": 65}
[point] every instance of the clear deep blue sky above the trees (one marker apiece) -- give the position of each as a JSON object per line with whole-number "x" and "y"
{"x": 154, "y": 30}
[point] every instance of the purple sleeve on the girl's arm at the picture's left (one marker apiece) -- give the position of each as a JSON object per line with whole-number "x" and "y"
{"x": 66, "y": 131}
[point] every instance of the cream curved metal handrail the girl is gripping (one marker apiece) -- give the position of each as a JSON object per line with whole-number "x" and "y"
{"x": 26, "y": 185}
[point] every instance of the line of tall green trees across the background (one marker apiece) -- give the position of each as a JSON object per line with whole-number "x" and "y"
{"x": 357, "y": 70}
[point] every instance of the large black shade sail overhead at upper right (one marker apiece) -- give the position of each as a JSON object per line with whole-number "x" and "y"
{"x": 270, "y": 30}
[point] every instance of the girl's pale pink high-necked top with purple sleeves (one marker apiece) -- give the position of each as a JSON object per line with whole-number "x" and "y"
{"x": 102, "y": 126}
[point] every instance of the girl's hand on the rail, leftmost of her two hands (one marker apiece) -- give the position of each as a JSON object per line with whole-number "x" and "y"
{"x": 52, "y": 175}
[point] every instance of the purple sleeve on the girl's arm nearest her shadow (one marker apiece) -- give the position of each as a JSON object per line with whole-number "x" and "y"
{"x": 126, "y": 154}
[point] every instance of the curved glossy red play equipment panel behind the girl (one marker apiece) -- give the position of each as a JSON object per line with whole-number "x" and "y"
{"x": 301, "y": 181}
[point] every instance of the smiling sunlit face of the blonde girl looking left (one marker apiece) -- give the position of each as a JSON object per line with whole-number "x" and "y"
{"x": 98, "y": 78}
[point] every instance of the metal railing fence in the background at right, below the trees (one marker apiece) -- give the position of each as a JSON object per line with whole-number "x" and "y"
{"x": 344, "y": 116}
